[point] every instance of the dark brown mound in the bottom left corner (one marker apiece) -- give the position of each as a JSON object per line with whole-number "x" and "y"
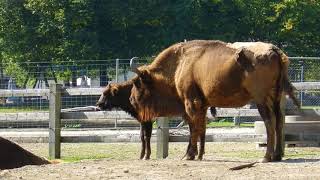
{"x": 14, "y": 156}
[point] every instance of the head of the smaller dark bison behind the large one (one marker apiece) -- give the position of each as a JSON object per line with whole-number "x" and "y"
{"x": 108, "y": 97}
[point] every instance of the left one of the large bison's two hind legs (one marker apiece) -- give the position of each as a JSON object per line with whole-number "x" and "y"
{"x": 268, "y": 117}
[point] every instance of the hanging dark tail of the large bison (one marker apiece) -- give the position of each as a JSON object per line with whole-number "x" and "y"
{"x": 286, "y": 86}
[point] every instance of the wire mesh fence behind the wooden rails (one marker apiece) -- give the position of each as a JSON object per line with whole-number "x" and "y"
{"x": 32, "y": 111}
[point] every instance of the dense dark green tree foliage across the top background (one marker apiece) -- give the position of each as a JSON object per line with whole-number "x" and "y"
{"x": 71, "y": 30}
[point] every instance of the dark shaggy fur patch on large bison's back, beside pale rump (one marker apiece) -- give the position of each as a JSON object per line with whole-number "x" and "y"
{"x": 244, "y": 58}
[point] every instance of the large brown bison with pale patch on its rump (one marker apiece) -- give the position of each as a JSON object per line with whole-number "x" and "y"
{"x": 191, "y": 76}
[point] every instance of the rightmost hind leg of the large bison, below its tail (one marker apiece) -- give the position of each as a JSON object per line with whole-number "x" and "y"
{"x": 279, "y": 149}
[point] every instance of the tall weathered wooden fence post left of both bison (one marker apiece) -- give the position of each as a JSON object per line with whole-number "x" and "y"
{"x": 55, "y": 121}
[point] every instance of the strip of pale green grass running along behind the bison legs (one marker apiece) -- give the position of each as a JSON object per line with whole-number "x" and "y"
{"x": 74, "y": 152}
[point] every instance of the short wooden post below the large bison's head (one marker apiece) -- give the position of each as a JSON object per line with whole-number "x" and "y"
{"x": 162, "y": 137}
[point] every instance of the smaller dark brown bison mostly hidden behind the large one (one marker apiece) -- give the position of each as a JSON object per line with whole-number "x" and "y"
{"x": 116, "y": 95}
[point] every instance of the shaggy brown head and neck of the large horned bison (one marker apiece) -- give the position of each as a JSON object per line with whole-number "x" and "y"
{"x": 151, "y": 96}
